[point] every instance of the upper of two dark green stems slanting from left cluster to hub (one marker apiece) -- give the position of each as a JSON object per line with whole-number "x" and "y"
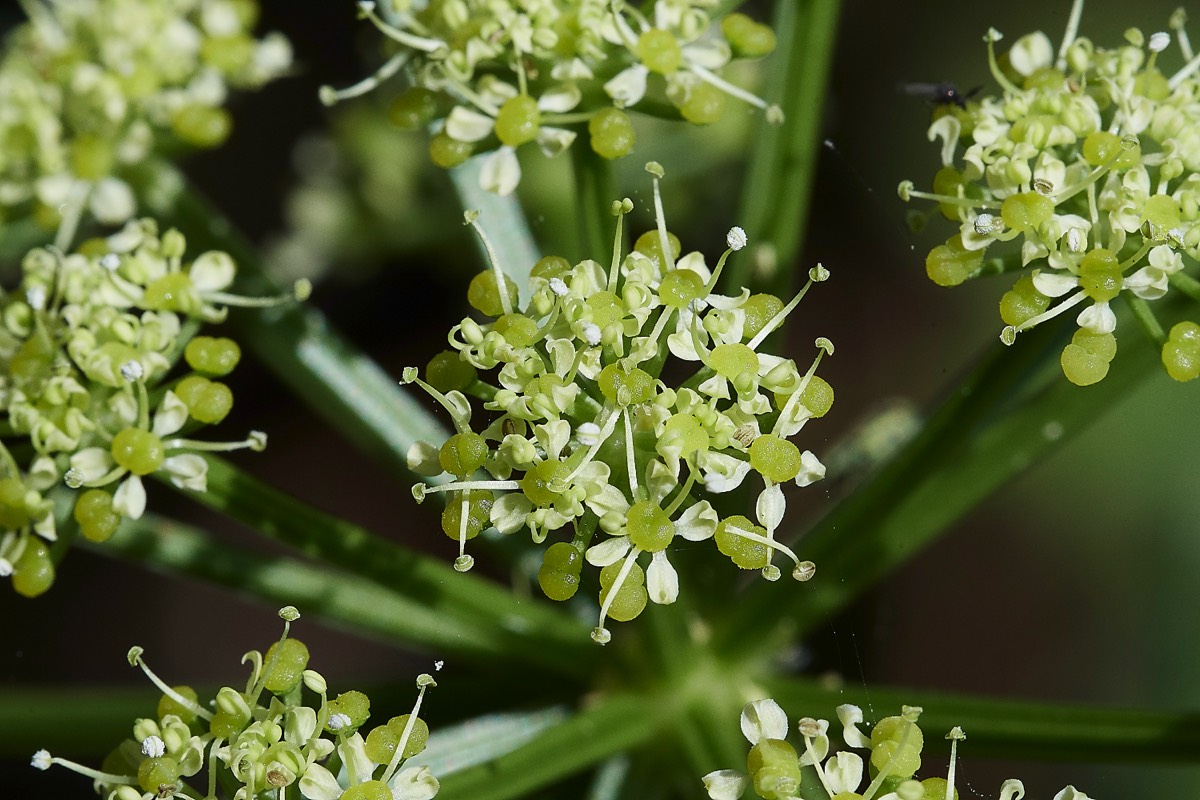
{"x": 515, "y": 627}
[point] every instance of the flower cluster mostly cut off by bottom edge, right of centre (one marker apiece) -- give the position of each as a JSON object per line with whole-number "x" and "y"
{"x": 777, "y": 769}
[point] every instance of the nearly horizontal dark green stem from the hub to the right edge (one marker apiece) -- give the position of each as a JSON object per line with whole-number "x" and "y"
{"x": 1015, "y": 730}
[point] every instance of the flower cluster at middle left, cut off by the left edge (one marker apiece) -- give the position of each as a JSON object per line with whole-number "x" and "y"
{"x": 87, "y": 396}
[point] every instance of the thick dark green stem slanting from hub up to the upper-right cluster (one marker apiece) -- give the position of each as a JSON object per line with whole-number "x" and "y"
{"x": 1015, "y": 410}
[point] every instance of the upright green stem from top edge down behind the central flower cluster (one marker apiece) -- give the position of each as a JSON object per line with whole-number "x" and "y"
{"x": 783, "y": 169}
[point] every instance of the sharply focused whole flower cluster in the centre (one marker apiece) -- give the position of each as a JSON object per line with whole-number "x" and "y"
{"x": 583, "y": 432}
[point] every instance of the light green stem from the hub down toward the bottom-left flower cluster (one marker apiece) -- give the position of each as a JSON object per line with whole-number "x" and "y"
{"x": 614, "y": 725}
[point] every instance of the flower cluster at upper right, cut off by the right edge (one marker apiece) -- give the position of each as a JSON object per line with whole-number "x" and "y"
{"x": 1089, "y": 161}
